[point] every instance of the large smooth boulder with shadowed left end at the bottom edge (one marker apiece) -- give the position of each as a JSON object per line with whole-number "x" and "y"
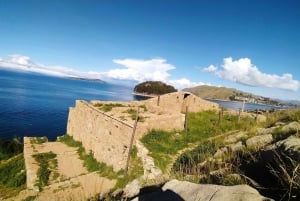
{"x": 175, "y": 190}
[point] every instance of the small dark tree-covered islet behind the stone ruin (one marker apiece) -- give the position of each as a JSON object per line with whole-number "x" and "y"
{"x": 153, "y": 88}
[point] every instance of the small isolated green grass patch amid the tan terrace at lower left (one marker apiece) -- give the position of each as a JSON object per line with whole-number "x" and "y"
{"x": 45, "y": 161}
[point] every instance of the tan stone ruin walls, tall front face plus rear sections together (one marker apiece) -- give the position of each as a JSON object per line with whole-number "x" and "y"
{"x": 108, "y": 138}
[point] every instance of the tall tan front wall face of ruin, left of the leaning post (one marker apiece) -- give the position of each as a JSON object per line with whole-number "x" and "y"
{"x": 106, "y": 137}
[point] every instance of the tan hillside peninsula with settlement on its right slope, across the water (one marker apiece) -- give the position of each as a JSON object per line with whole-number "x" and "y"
{"x": 231, "y": 94}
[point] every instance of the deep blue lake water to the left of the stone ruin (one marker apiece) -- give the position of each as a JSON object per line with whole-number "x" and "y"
{"x": 38, "y": 105}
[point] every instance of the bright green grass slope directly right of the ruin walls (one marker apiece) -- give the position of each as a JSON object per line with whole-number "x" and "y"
{"x": 162, "y": 145}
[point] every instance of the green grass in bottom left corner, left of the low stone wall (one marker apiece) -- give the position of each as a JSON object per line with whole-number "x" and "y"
{"x": 12, "y": 176}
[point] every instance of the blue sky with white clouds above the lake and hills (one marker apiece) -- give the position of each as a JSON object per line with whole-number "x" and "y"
{"x": 245, "y": 44}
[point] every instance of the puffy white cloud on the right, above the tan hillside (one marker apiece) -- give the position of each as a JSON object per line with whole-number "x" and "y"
{"x": 244, "y": 72}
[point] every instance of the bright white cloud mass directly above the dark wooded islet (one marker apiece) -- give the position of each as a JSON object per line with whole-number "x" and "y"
{"x": 141, "y": 70}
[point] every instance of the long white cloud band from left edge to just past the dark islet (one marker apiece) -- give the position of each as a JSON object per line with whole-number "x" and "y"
{"x": 138, "y": 70}
